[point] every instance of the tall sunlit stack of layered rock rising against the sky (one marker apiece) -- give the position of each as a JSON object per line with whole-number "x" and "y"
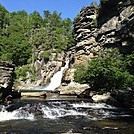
{"x": 85, "y": 28}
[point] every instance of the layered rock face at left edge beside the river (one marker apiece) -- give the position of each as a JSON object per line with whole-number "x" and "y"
{"x": 6, "y": 78}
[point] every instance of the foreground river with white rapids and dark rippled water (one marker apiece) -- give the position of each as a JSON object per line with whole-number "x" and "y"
{"x": 64, "y": 116}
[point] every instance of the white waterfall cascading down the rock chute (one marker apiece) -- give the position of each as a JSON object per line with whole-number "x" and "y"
{"x": 56, "y": 79}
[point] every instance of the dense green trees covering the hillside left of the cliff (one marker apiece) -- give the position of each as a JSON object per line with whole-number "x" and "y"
{"x": 22, "y": 34}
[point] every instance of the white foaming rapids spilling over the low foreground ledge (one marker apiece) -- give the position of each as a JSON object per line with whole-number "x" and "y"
{"x": 59, "y": 109}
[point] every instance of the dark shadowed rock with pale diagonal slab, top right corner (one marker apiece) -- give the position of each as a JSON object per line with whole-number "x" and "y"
{"x": 118, "y": 29}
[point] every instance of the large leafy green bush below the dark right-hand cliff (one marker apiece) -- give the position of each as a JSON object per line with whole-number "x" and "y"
{"x": 106, "y": 72}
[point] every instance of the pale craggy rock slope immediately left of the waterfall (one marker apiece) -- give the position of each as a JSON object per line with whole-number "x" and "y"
{"x": 44, "y": 69}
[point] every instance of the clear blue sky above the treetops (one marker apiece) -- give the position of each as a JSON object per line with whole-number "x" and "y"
{"x": 68, "y": 8}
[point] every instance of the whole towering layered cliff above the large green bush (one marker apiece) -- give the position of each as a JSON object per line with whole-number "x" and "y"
{"x": 111, "y": 25}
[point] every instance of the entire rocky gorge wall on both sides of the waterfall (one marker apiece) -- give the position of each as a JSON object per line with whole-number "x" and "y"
{"x": 95, "y": 28}
